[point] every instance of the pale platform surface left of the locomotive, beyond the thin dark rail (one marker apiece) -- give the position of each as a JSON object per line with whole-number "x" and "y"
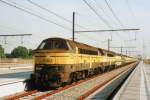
{"x": 16, "y": 73}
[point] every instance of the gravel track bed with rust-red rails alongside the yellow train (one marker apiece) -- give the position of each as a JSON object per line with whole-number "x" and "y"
{"x": 78, "y": 90}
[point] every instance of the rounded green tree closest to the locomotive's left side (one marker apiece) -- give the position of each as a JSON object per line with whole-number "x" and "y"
{"x": 20, "y": 52}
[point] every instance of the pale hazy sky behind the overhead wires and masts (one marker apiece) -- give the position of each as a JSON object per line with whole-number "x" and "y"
{"x": 130, "y": 14}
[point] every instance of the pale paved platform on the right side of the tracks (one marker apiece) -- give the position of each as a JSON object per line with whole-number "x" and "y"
{"x": 137, "y": 85}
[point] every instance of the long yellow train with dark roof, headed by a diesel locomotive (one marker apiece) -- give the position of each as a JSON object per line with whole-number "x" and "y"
{"x": 59, "y": 60}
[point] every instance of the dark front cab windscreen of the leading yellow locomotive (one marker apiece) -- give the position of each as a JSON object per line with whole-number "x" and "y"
{"x": 53, "y": 44}
